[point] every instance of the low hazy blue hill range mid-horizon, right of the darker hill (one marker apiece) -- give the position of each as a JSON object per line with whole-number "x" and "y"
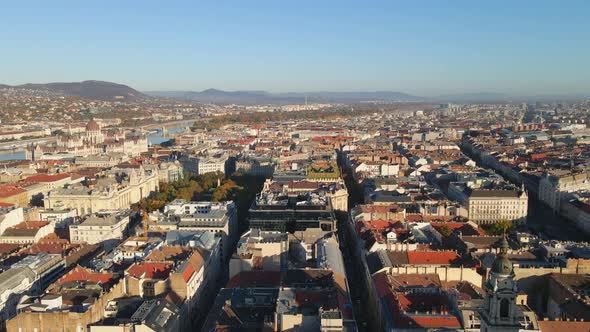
{"x": 216, "y": 96}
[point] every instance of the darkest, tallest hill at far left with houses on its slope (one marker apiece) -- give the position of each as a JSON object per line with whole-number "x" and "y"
{"x": 88, "y": 89}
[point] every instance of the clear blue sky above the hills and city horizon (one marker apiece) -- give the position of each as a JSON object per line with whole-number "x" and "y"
{"x": 419, "y": 47}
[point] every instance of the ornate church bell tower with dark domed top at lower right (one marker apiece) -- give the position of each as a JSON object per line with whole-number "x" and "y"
{"x": 500, "y": 312}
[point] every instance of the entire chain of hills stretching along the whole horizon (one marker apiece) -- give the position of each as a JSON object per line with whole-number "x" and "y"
{"x": 109, "y": 91}
